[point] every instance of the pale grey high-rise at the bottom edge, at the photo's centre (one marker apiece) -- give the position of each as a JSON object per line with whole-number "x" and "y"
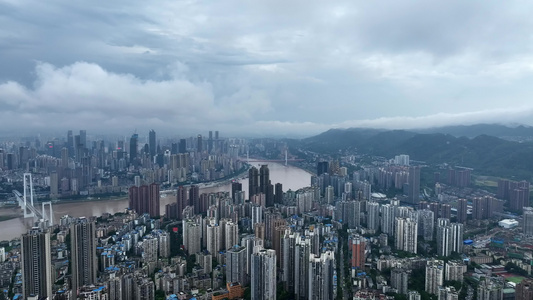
{"x": 263, "y": 281}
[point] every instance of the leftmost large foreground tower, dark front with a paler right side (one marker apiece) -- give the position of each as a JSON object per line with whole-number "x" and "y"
{"x": 36, "y": 264}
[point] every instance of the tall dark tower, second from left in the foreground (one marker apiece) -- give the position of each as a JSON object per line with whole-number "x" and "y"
{"x": 83, "y": 253}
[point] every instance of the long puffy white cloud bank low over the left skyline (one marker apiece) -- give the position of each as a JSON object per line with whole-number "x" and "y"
{"x": 86, "y": 95}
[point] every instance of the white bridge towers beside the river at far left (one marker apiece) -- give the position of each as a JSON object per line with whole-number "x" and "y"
{"x": 27, "y": 206}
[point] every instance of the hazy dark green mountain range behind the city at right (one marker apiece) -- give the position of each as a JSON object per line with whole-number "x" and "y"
{"x": 488, "y": 149}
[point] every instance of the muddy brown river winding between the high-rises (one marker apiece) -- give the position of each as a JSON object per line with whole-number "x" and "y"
{"x": 291, "y": 177}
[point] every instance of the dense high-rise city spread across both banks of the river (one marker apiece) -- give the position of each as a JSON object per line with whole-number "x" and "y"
{"x": 171, "y": 234}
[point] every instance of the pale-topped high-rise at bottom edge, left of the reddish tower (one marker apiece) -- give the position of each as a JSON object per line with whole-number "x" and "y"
{"x": 321, "y": 276}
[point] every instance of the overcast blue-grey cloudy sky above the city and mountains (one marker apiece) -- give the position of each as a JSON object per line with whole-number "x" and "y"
{"x": 260, "y": 67}
